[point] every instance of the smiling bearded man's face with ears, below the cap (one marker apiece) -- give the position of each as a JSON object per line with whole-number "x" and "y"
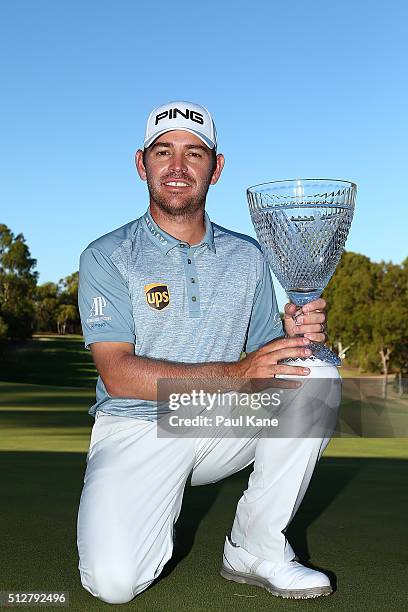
{"x": 178, "y": 168}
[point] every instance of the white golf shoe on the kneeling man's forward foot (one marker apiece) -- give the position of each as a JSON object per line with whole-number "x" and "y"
{"x": 288, "y": 579}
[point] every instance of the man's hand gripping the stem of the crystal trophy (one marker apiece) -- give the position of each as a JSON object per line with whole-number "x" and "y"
{"x": 309, "y": 320}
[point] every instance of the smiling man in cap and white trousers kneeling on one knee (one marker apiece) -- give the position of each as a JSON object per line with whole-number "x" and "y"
{"x": 155, "y": 303}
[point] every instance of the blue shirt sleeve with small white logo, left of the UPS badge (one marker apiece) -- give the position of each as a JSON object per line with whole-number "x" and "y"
{"x": 104, "y": 303}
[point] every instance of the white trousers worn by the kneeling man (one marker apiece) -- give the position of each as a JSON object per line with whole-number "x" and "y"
{"x": 134, "y": 484}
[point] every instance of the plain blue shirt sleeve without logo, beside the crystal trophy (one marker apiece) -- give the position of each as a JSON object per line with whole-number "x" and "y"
{"x": 265, "y": 323}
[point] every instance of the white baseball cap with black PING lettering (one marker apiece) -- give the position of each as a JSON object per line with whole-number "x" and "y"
{"x": 181, "y": 115}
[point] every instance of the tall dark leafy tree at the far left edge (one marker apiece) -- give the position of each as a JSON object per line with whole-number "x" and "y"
{"x": 17, "y": 284}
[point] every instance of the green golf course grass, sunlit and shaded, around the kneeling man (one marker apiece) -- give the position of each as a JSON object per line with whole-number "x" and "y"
{"x": 352, "y": 521}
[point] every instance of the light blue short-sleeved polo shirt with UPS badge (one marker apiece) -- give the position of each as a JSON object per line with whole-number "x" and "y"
{"x": 174, "y": 302}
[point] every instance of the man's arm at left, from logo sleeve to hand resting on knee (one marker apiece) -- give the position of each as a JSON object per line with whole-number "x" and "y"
{"x": 108, "y": 327}
